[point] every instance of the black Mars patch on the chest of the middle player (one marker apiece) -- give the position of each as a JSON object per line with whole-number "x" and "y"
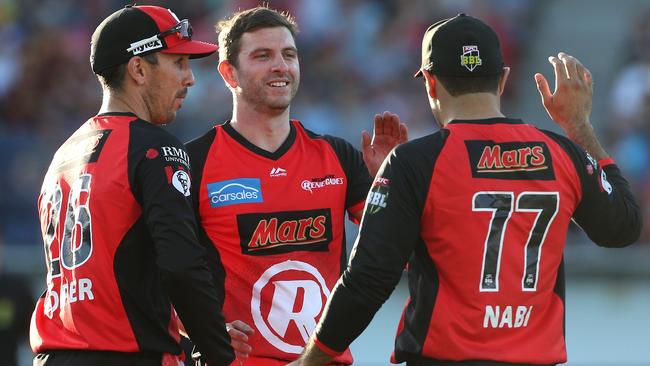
{"x": 285, "y": 231}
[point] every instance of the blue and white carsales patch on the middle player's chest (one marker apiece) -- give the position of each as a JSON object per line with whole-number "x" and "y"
{"x": 234, "y": 192}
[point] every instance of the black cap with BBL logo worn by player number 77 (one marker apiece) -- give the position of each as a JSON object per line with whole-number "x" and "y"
{"x": 461, "y": 46}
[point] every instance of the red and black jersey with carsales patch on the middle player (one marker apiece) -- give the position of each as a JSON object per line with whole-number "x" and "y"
{"x": 275, "y": 222}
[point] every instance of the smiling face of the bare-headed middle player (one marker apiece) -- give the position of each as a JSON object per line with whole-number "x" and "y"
{"x": 267, "y": 74}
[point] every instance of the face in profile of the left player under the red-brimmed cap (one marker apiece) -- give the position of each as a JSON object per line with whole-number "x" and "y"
{"x": 167, "y": 85}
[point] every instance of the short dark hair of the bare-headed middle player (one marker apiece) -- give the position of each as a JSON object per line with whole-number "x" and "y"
{"x": 231, "y": 30}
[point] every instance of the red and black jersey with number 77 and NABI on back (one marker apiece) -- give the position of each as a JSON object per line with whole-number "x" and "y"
{"x": 479, "y": 213}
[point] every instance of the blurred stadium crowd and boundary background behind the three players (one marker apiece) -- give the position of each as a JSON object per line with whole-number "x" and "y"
{"x": 357, "y": 59}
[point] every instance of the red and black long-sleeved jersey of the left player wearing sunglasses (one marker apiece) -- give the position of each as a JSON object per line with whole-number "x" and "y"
{"x": 121, "y": 246}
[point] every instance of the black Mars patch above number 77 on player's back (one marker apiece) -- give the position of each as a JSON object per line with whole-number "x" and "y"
{"x": 530, "y": 160}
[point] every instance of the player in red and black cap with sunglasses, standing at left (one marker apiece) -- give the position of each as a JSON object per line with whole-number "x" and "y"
{"x": 116, "y": 213}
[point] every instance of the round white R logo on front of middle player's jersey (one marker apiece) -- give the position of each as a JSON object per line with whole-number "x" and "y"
{"x": 288, "y": 285}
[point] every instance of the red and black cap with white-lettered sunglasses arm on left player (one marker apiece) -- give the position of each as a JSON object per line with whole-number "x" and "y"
{"x": 135, "y": 30}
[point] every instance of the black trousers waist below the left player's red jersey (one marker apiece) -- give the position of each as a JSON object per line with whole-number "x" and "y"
{"x": 97, "y": 358}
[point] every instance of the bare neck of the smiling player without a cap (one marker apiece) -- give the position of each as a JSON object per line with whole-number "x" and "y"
{"x": 263, "y": 129}
